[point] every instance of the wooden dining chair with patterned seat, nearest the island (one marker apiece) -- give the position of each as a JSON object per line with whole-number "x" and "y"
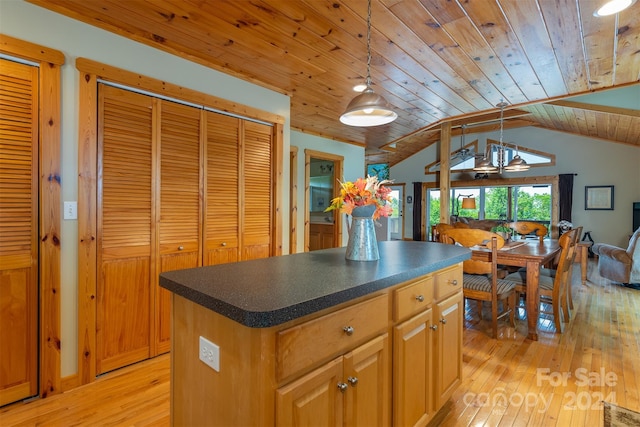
{"x": 480, "y": 280}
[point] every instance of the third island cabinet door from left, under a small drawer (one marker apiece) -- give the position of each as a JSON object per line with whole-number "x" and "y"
{"x": 413, "y": 400}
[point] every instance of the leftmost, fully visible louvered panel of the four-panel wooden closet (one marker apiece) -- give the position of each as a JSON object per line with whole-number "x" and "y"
{"x": 125, "y": 202}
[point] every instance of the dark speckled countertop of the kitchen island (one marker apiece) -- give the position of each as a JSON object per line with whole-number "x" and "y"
{"x": 270, "y": 291}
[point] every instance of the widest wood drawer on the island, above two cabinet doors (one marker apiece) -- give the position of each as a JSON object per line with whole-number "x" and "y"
{"x": 304, "y": 345}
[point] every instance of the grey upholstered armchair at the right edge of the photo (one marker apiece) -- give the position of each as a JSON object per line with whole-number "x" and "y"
{"x": 618, "y": 264}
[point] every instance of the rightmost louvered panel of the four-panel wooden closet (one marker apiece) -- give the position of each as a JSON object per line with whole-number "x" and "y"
{"x": 256, "y": 191}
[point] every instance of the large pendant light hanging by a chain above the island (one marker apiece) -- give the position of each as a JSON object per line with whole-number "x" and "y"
{"x": 368, "y": 108}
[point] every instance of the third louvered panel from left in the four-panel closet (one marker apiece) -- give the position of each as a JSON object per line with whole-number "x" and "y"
{"x": 221, "y": 220}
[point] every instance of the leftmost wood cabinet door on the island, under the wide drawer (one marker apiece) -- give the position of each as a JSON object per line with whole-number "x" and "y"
{"x": 314, "y": 399}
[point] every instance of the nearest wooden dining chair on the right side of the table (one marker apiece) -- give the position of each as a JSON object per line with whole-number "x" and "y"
{"x": 553, "y": 289}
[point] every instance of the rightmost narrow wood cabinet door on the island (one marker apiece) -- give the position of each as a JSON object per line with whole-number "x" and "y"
{"x": 448, "y": 317}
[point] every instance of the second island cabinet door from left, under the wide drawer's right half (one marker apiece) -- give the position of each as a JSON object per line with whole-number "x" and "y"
{"x": 367, "y": 372}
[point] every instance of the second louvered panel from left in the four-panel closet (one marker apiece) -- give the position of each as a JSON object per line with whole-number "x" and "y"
{"x": 179, "y": 224}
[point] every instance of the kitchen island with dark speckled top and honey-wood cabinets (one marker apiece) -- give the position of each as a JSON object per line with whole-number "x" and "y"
{"x": 314, "y": 338}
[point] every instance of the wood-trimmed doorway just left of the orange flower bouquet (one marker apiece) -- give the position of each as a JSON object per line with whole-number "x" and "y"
{"x": 323, "y": 230}
